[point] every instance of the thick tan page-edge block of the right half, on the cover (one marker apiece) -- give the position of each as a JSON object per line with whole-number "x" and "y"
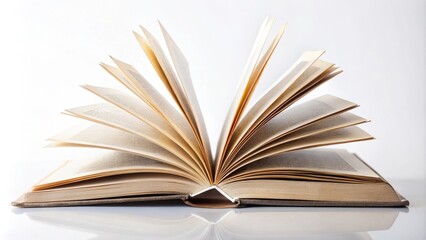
{"x": 311, "y": 190}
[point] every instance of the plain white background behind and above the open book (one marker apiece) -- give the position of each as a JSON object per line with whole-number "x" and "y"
{"x": 49, "y": 48}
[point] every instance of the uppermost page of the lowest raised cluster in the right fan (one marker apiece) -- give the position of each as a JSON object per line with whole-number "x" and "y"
{"x": 293, "y": 119}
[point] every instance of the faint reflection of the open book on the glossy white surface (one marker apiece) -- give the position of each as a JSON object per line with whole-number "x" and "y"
{"x": 173, "y": 221}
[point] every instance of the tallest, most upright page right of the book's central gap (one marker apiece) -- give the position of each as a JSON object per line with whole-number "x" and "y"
{"x": 234, "y": 112}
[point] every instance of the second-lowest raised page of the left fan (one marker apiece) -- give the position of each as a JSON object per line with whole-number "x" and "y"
{"x": 110, "y": 115}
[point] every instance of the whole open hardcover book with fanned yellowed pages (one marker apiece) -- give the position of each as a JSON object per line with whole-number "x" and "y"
{"x": 157, "y": 149}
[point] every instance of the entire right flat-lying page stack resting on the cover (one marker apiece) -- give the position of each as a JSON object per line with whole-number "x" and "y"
{"x": 318, "y": 175}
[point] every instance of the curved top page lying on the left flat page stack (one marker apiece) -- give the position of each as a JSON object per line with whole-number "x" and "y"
{"x": 109, "y": 163}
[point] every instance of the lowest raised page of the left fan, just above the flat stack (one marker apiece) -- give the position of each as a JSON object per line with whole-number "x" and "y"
{"x": 114, "y": 139}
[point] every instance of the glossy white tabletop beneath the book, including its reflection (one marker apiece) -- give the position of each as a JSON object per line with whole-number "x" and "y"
{"x": 176, "y": 221}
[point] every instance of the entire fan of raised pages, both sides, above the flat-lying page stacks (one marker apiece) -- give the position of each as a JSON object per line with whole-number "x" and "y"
{"x": 179, "y": 136}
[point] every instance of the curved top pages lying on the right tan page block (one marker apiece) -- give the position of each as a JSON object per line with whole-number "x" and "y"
{"x": 311, "y": 162}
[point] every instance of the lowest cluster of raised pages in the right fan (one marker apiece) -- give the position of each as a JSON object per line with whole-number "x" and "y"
{"x": 303, "y": 121}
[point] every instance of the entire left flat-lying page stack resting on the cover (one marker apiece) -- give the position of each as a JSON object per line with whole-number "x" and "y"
{"x": 112, "y": 174}
